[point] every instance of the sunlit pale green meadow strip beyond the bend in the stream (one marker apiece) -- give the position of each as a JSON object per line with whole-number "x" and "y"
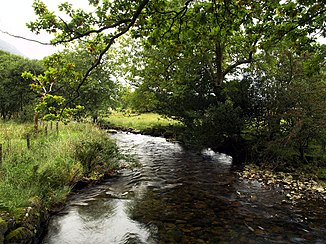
{"x": 139, "y": 121}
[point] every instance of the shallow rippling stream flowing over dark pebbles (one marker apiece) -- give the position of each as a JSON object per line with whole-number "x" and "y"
{"x": 183, "y": 196}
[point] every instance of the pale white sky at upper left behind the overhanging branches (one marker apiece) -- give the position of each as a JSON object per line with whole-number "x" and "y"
{"x": 14, "y": 14}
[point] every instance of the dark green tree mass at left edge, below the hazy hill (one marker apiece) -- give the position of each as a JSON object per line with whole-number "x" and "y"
{"x": 14, "y": 90}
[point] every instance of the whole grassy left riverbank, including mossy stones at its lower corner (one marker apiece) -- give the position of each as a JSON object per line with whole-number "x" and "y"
{"x": 39, "y": 170}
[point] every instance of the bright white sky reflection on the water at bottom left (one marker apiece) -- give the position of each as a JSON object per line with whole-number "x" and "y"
{"x": 102, "y": 222}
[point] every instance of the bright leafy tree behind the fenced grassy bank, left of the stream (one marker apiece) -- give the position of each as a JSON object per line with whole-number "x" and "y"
{"x": 58, "y": 84}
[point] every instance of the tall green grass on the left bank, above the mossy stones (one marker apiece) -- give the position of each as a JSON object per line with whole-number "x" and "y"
{"x": 45, "y": 173}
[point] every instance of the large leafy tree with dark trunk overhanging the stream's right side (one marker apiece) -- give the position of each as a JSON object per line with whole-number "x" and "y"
{"x": 194, "y": 49}
